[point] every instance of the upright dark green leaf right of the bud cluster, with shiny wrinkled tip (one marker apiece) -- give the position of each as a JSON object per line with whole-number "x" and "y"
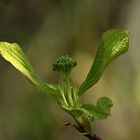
{"x": 113, "y": 44}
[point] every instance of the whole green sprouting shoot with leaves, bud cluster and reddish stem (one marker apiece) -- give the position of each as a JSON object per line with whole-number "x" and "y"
{"x": 113, "y": 44}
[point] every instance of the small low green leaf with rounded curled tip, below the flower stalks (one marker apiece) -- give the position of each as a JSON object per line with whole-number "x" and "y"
{"x": 101, "y": 111}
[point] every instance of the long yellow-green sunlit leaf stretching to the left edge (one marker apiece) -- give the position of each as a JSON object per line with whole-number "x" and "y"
{"x": 13, "y": 53}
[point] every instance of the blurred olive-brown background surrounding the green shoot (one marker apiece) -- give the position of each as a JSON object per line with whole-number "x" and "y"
{"x": 47, "y": 29}
